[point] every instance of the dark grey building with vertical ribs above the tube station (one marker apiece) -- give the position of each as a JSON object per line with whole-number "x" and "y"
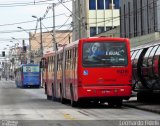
{"x": 139, "y": 17}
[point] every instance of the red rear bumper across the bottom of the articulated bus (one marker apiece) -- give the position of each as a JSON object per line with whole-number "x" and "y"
{"x": 105, "y": 92}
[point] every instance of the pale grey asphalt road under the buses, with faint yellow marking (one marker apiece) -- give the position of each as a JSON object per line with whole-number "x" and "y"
{"x": 29, "y": 107}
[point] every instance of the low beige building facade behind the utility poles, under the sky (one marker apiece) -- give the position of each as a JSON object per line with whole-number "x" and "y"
{"x": 61, "y": 37}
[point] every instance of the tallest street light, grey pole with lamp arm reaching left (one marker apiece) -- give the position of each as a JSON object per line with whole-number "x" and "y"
{"x": 41, "y": 44}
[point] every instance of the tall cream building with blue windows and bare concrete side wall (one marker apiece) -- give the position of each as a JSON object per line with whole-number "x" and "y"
{"x": 91, "y": 17}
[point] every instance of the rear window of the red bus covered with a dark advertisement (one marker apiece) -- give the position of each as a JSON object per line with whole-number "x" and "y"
{"x": 104, "y": 54}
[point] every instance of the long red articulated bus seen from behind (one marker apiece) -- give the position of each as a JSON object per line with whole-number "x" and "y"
{"x": 90, "y": 69}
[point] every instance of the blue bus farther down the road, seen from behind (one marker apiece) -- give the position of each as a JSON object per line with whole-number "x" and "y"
{"x": 28, "y": 75}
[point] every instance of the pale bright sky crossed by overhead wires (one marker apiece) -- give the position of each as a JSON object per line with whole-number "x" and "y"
{"x": 18, "y": 13}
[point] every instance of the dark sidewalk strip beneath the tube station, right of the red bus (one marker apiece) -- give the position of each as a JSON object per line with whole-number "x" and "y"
{"x": 147, "y": 106}
